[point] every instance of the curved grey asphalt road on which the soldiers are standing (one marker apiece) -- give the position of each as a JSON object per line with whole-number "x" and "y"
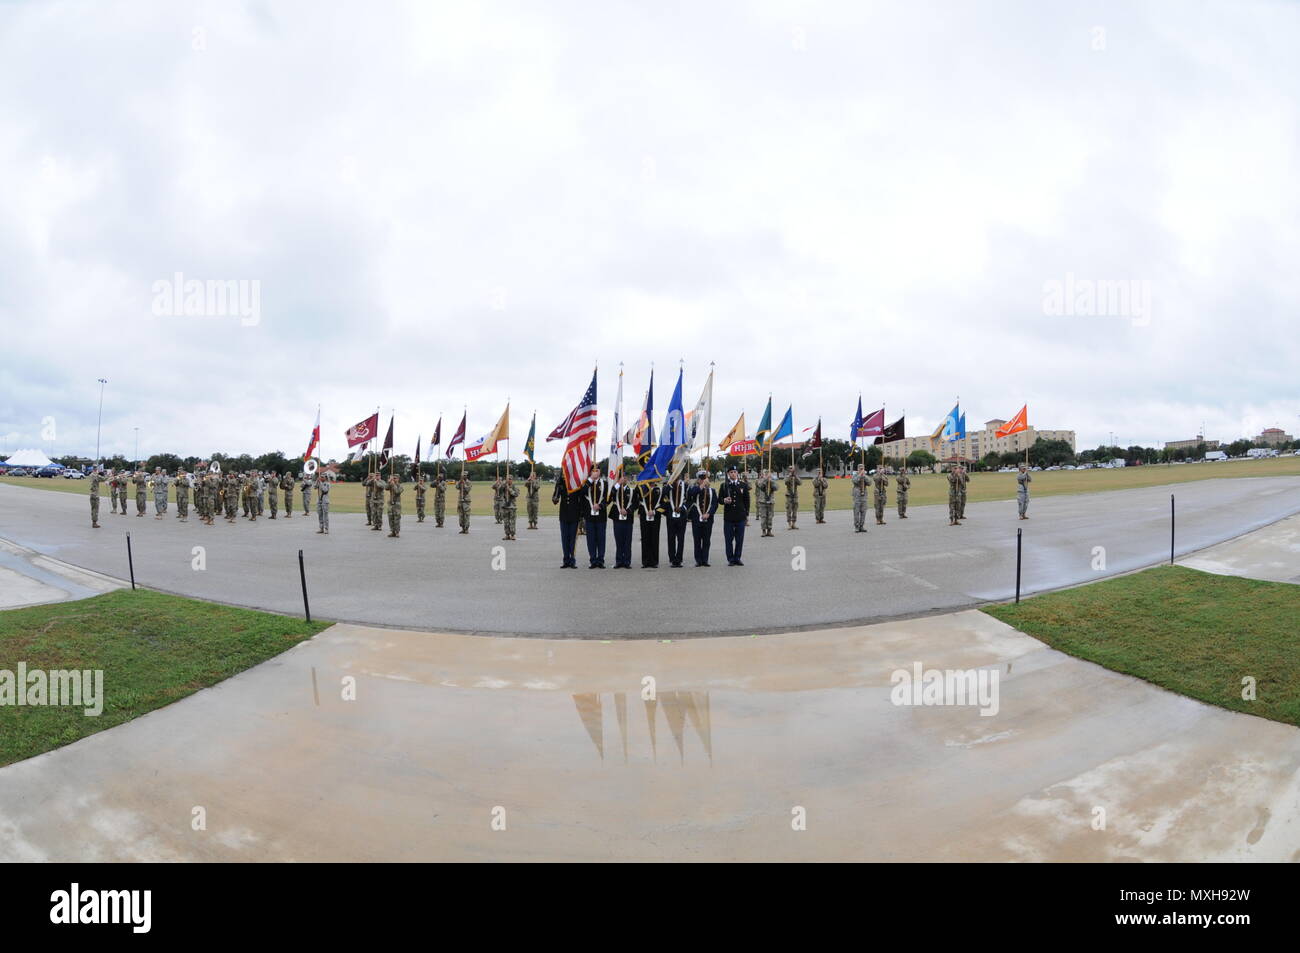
{"x": 435, "y": 579}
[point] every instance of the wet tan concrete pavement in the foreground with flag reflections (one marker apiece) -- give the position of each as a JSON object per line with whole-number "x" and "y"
{"x": 742, "y": 733}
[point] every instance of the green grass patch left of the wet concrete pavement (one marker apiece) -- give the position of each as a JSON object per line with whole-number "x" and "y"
{"x": 153, "y": 649}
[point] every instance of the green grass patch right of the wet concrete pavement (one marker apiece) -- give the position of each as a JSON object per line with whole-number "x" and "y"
{"x": 1191, "y": 633}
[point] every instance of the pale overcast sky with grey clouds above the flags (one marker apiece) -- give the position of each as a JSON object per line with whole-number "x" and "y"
{"x": 449, "y": 205}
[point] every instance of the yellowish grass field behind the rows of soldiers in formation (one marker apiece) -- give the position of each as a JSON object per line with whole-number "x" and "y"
{"x": 931, "y": 488}
